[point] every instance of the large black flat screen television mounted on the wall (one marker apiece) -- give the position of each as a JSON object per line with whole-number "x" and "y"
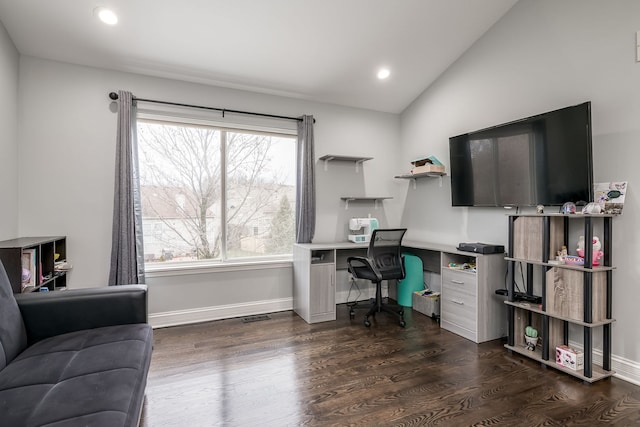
{"x": 540, "y": 160}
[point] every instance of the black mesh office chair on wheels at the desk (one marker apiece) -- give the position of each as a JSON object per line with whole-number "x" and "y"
{"x": 383, "y": 262}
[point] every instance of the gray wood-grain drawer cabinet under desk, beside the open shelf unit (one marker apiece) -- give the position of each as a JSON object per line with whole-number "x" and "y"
{"x": 469, "y": 306}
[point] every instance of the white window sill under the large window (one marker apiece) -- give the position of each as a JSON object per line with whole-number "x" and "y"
{"x": 211, "y": 267}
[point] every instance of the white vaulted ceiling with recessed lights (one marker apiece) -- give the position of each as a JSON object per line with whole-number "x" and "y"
{"x": 321, "y": 50}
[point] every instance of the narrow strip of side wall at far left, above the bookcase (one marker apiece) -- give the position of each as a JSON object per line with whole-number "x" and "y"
{"x": 9, "y": 60}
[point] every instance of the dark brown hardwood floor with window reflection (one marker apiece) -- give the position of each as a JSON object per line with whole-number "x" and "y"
{"x": 284, "y": 372}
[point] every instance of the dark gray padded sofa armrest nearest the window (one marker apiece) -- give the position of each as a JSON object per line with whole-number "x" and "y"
{"x": 46, "y": 314}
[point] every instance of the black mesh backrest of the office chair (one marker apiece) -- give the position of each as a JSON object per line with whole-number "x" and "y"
{"x": 385, "y": 251}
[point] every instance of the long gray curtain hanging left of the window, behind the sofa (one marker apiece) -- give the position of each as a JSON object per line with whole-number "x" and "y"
{"x": 127, "y": 257}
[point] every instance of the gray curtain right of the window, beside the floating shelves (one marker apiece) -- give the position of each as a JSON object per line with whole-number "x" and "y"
{"x": 305, "y": 182}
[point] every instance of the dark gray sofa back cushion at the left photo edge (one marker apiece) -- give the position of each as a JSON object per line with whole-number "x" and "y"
{"x": 13, "y": 338}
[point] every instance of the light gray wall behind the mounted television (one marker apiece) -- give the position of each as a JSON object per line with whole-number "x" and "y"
{"x": 542, "y": 55}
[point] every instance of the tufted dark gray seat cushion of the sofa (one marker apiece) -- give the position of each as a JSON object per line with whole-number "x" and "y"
{"x": 92, "y": 377}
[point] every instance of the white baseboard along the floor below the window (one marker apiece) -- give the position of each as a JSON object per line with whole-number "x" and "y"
{"x": 206, "y": 314}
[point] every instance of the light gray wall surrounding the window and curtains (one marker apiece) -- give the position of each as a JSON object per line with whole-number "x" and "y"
{"x": 67, "y": 130}
